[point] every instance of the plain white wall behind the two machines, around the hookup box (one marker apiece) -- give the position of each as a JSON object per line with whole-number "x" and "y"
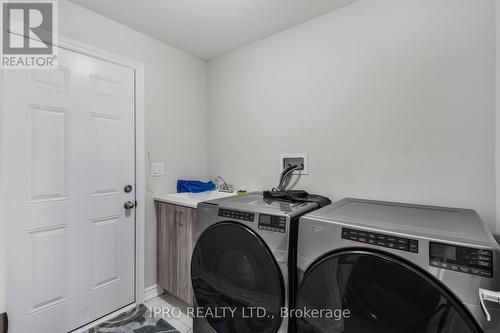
{"x": 392, "y": 99}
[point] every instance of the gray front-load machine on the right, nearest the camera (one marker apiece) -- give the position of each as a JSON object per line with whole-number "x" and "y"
{"x": 396, "y": 268}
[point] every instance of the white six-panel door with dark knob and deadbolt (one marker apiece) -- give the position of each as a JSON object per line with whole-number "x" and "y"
{"x": 69, "y": 152}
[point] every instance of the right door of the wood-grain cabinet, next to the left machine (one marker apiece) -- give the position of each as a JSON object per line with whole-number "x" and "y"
{"x": 184, "y": 233}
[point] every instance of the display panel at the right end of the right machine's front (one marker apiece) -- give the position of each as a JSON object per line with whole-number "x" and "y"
{"x": 461, "y": 259}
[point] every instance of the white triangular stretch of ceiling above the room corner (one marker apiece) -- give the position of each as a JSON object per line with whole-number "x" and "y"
{"x": 210, "y": 28}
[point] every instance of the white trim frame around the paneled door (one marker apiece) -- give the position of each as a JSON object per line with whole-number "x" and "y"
{"x": 140, "y": 161}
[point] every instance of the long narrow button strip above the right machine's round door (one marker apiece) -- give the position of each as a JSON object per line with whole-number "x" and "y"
{"x": 373, "y": 238}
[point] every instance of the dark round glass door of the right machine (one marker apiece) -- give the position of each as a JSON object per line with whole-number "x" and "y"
{"x": 382, "y": 294}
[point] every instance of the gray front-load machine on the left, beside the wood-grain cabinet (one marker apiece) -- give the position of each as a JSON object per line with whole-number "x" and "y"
{"x": 240, "y": 268}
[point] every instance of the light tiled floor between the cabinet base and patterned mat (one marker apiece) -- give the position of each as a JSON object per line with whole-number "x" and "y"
{"x": 180, "y": 321}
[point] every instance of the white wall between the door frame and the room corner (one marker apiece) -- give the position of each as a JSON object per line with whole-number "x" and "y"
{"x": 175, "y": 97}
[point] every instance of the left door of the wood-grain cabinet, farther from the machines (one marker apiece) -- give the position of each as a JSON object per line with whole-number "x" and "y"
{"x": 167, "y": 256}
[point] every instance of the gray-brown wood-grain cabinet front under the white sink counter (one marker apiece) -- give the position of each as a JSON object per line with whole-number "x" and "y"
{"x": 175, "y": 225}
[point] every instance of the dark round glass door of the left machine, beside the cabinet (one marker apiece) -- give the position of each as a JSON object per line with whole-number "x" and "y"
{"x": 232, "y": 269}
